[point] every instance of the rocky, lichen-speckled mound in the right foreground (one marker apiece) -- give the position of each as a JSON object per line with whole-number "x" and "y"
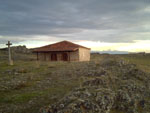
{"x": 109, "y": 86}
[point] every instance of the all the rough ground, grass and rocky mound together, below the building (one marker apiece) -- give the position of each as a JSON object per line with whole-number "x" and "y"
{"x": 106, "y": 84}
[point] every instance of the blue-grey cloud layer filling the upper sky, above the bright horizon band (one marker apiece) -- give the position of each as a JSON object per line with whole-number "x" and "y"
{"x": 71, "y": 17}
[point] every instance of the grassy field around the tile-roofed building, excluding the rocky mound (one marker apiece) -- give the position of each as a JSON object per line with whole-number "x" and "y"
{"x": 29, "y": 85}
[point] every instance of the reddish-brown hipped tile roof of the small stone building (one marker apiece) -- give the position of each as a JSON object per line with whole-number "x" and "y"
{"x": 60, "y": 46}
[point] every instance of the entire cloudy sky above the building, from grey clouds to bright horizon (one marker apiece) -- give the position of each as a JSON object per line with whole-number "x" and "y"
{"x": 122, "y": 25}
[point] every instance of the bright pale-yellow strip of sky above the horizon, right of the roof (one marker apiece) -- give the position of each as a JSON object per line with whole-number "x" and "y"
{"x": 136, "y": 46}
